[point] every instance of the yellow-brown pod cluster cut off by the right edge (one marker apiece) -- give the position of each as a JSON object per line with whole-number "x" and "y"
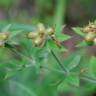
{"x": 90, "y": 31}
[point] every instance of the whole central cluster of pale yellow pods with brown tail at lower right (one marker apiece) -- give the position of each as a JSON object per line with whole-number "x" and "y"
{"x": 41, "y": 35}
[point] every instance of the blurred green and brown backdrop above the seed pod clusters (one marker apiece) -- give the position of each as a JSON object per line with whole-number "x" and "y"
{"x": 72, "y": 12}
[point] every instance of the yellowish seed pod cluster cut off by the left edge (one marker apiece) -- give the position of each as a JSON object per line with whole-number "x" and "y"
{"x": 3, "y": 38}
